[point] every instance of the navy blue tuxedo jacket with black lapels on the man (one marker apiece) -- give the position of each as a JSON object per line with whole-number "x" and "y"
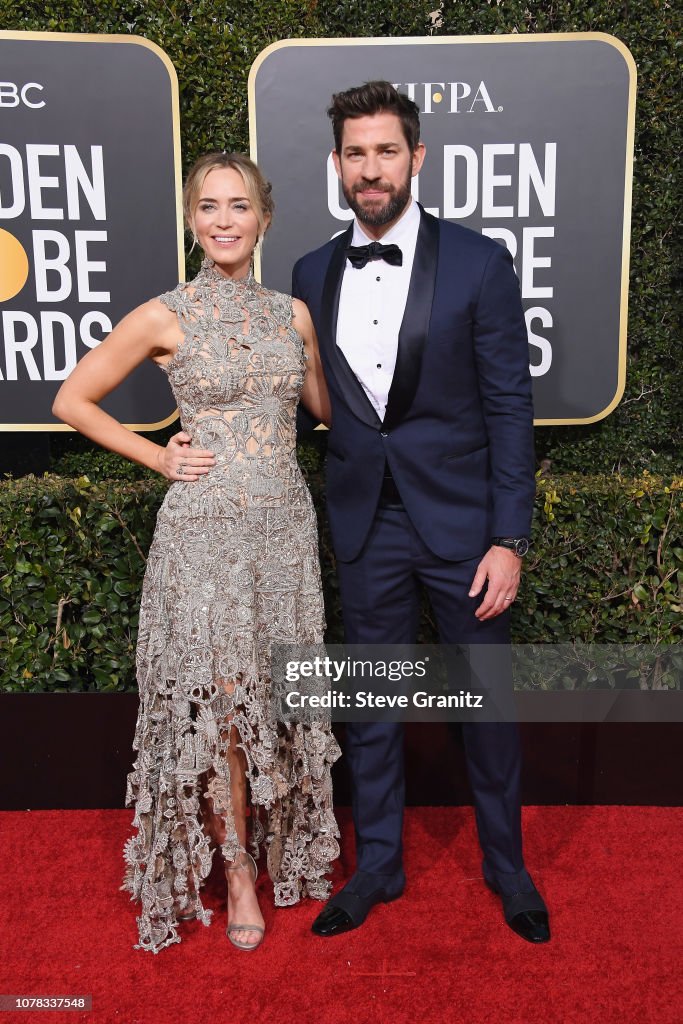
{"x": 458, "y": 430}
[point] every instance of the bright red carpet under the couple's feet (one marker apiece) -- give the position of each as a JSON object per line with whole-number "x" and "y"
{"x": 612, "y": 877}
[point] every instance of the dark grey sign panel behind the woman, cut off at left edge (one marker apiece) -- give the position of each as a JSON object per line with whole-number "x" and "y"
{"x": 91, "y": 222}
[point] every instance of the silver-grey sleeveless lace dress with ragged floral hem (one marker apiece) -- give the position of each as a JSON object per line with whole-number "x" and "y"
{"x": 233, "y": 569}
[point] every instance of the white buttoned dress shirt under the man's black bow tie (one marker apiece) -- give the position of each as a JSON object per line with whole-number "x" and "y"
{"x": 372, "y": 304}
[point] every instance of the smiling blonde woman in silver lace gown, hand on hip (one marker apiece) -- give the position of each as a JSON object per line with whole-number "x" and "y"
{"x": 233, "y": 570}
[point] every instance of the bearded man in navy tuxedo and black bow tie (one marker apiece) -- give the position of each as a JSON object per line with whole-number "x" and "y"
{"x": 431, "y": 474}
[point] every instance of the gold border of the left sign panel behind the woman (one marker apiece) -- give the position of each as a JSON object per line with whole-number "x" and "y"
{"x": 91, "y": 37}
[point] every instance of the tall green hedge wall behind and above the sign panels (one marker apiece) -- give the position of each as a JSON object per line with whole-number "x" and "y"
{"x": 214, "y": 45}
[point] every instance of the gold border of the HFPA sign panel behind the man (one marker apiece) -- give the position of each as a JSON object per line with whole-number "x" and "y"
{"x": 603, "y": 37}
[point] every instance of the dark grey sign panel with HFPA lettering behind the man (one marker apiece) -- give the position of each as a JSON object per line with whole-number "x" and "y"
{"x": 530, "y": 140}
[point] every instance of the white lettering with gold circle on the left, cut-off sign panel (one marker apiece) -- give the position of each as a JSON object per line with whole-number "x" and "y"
{"x": 62, "y": 184}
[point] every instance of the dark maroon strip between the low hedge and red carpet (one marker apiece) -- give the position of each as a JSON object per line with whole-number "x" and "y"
{"x": 74, "y": 751}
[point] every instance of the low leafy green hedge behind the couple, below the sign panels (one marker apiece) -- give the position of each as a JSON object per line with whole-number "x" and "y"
{"x": 607, "y": 567}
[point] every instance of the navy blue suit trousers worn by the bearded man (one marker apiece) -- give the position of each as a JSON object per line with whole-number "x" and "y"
{"x": 380, "y": 592}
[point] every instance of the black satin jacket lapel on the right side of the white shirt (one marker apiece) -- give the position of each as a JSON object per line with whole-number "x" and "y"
{"x": 415, "y": 327}
